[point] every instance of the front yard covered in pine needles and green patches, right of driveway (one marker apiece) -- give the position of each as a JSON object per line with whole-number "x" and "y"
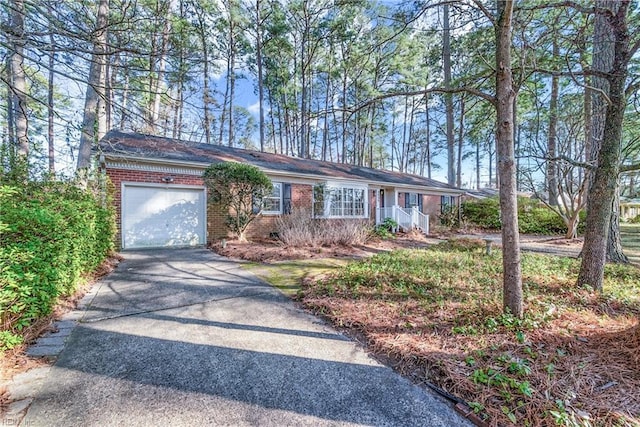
{"x": 436, "y": 314}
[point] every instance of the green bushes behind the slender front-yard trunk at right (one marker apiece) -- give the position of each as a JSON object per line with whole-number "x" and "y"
{"x": 533, "y": 216}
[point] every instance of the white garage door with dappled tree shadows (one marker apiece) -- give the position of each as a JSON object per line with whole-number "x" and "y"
{"x": 162, "y": 216}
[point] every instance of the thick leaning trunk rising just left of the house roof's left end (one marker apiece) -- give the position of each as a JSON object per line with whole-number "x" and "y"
{"x": 88, "y": 136}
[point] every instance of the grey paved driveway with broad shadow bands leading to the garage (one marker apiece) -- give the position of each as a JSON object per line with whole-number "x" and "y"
{"x": 185, "y": 337}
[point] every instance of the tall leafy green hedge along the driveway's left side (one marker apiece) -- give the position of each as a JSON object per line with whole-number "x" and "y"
{"x": 51, "y": 236}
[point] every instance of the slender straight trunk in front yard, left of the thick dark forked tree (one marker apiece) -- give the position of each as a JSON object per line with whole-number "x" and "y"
{"x": 505, "y": 95}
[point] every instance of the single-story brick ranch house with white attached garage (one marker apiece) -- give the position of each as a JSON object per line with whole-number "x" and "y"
{"x": 161, "y": 200}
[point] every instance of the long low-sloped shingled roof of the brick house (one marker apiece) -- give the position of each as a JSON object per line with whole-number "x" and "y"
{"x": 148, "y": 147}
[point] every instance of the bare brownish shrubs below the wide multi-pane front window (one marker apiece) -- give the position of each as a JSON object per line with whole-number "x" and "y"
{"x": 299, "y": 228}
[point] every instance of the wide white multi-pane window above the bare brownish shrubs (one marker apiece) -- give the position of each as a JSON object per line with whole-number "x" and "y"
{"x": 339, "y": 201}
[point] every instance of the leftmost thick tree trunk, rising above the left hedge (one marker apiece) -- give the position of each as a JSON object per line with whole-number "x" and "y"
{"x": 18, "y": 80}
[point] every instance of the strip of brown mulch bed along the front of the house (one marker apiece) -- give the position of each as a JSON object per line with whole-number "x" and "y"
{"x": 274, "y": 250}
